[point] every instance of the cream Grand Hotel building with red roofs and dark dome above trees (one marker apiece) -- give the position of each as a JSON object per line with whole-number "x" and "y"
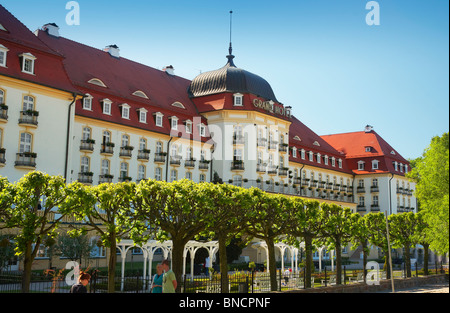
{"x": 91, "y": 115}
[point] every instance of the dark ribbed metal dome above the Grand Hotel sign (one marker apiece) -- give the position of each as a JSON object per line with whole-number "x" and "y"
{"x": 230, "y": 79}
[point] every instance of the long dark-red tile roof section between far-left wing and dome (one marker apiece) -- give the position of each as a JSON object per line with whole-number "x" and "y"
{"x": 122, "y": 78}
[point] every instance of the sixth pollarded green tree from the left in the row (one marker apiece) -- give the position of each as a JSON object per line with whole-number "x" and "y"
{"x": 307, "y": 224}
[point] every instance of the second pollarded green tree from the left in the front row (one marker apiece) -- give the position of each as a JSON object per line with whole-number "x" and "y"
{"x": 110, "y": 215}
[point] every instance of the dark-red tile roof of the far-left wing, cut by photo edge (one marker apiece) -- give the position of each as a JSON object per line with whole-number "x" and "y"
{"x": 18, "y": 39}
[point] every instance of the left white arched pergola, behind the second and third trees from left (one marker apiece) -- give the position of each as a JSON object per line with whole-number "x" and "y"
{"x": 149, "y": 248}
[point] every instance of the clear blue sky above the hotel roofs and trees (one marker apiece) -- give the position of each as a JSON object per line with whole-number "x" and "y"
{"x": 320, "y": 56}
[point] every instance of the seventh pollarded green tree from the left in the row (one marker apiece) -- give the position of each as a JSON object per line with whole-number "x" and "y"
{"x": 337, "y": 231}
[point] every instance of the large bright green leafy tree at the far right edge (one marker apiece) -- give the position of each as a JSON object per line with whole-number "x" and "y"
{"x": 431, "y": 174}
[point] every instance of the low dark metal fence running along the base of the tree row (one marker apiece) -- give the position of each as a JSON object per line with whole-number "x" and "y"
{"x": 239, "y": 282}
